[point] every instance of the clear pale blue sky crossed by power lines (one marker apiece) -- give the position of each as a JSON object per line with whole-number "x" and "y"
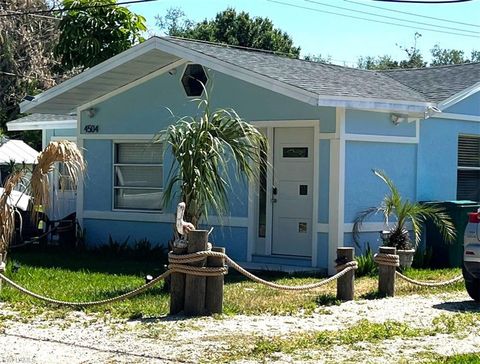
{"x": 345, "y": 39}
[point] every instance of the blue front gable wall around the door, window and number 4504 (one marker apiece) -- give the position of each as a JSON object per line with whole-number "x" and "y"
{"x": 148, "y": 108}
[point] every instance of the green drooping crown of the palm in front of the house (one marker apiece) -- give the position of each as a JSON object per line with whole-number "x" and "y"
{"x": 204, "y": 148}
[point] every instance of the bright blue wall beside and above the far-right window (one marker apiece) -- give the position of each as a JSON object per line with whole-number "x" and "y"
{"x": 437, "y": 157}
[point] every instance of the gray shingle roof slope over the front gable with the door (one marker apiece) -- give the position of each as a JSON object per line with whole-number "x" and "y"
{"x": 319, "y": 78}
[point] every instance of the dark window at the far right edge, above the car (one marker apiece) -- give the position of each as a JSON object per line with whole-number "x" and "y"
{"x": 468, "y": 174}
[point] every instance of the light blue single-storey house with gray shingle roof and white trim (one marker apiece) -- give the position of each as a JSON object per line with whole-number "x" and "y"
{"x": 327, "y": 126}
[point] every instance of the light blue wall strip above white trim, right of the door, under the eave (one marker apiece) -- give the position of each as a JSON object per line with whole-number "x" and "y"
{"x": 376, "y": 123}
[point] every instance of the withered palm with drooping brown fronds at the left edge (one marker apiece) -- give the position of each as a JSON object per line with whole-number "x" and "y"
{"x": 38, "y": 186}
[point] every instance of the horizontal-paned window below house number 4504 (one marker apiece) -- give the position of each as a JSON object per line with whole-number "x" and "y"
{"x": 138, "y": 176}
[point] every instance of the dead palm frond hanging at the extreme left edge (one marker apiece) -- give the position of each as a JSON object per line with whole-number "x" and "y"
{"x": 7, "y": 210}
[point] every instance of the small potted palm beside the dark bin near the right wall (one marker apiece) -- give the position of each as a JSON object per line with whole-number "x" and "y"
{"x": 402, "y": 212}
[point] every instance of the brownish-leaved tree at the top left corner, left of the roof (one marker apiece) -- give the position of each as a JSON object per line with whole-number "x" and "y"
{"x": 26, "y": 59}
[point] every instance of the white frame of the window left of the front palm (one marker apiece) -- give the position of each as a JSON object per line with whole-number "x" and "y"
{"x": 115, "y": 164}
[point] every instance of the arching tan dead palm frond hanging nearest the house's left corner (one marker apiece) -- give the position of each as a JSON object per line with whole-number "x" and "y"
{"x": 62, "y": 151}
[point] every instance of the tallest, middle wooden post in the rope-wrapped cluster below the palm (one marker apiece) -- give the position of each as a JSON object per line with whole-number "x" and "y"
{"x": 195, "y": 286}
